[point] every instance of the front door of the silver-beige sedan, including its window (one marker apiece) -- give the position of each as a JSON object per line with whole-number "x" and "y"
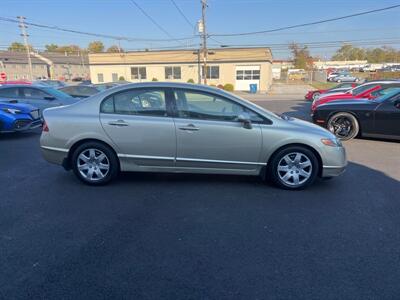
{"x": 209, "y": 135}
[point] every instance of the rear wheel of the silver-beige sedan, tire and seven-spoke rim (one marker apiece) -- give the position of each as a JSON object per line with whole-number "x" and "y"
{"x": 95, "y": 163}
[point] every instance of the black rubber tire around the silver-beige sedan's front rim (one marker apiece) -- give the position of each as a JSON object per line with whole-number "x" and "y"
{"x": 276, "y": 176}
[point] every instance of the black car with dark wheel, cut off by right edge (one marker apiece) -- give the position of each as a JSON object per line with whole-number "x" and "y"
{"x": 370, "y": 118}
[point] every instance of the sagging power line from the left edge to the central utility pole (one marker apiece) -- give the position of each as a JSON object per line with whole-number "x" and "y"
{"x": 114, "y": 37}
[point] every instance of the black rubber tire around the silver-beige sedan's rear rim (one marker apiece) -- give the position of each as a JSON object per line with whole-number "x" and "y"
{"x": 110, "y": 159}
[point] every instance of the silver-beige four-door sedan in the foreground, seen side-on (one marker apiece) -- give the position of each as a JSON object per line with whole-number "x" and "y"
{"x": 186, "y": 128}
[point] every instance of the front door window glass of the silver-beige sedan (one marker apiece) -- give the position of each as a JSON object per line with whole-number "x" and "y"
{"x": 197, "y": 105}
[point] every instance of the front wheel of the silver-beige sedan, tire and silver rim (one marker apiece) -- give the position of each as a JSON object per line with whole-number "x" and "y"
{"x": 293, "y": 168}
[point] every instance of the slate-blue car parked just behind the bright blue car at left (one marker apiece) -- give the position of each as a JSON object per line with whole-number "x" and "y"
{"x": 38, "y": 96}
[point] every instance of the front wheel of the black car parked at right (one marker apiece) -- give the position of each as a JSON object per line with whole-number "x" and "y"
{"x": 344, "y": 126}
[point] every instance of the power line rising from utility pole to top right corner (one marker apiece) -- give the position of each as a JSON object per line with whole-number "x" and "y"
{"x": 310, "y": 23}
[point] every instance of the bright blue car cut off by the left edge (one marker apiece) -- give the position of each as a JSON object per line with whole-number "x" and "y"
{"x": 18, "y": 117}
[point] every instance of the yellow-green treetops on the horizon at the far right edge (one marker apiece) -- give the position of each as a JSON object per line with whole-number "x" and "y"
{"x": 372, "y": 55}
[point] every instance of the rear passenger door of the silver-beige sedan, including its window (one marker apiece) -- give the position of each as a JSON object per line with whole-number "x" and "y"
{"x": 138, "y": 123}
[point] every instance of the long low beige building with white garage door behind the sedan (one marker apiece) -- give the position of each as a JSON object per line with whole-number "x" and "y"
{"x": 239, "y": 67}
